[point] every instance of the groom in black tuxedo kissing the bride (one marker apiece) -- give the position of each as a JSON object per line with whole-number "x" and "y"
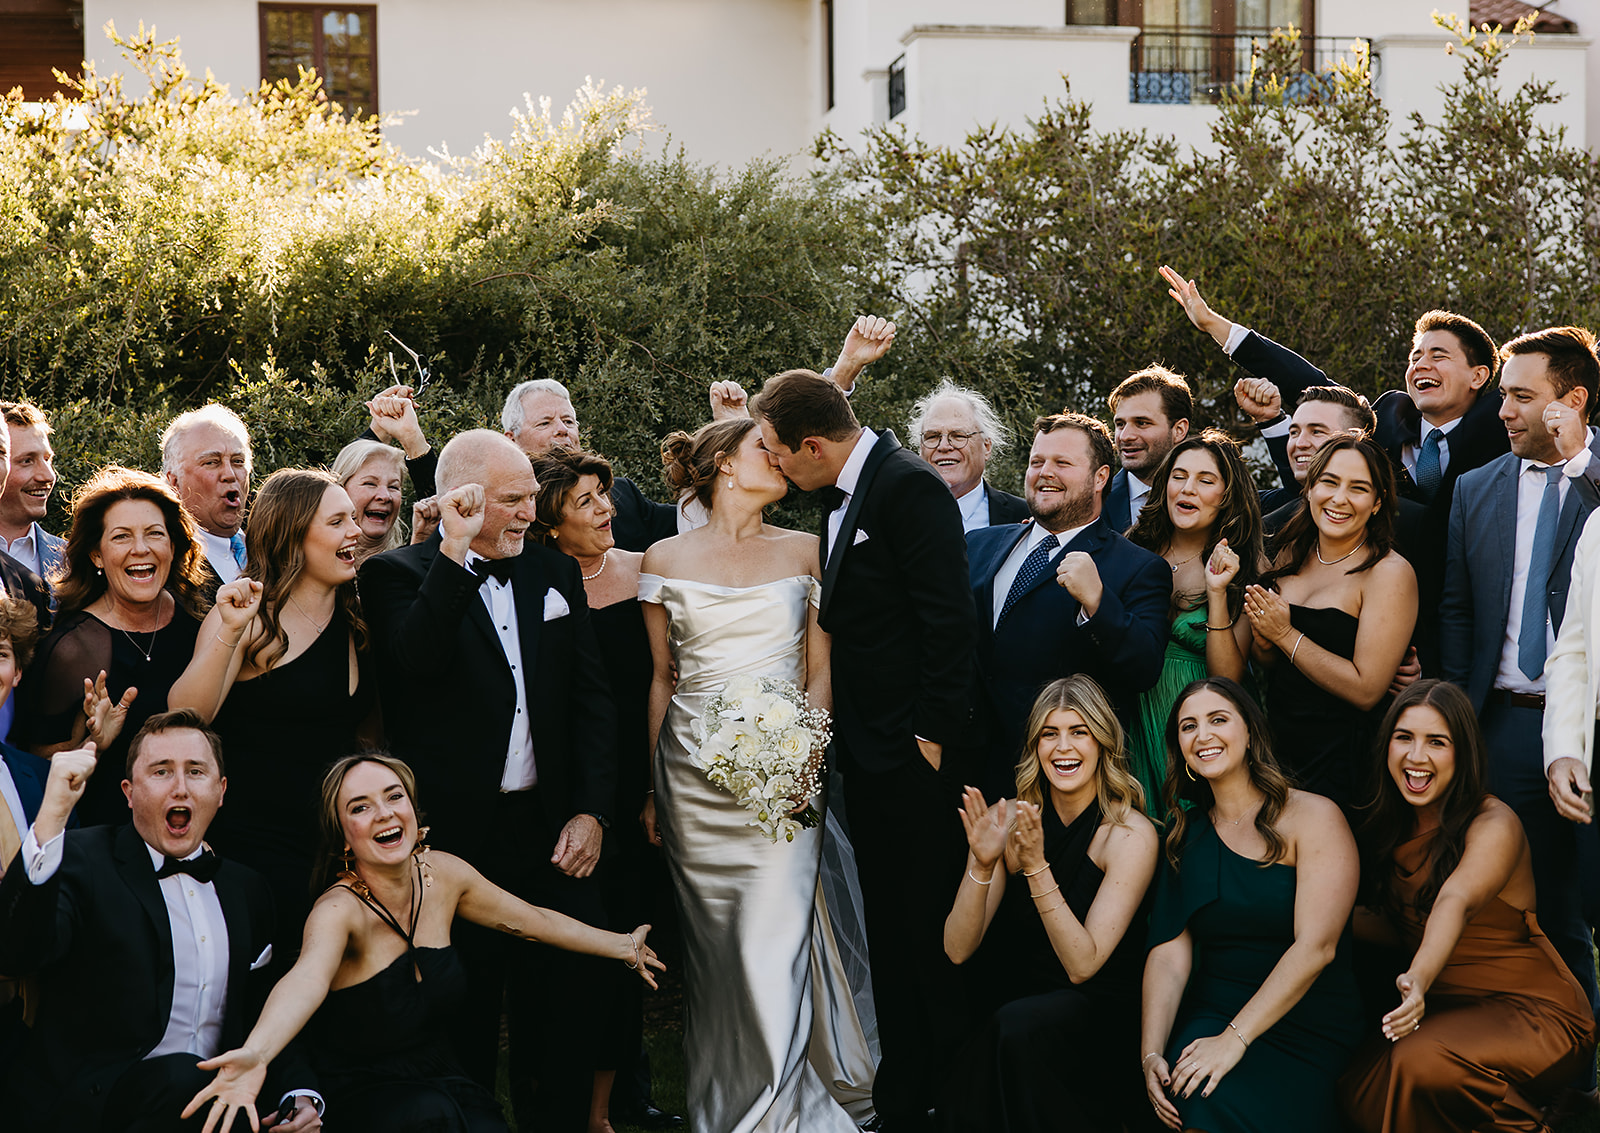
{"x": 897, "y": 603}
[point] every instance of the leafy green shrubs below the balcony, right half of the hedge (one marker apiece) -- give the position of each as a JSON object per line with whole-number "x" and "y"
{"x": 1308, "y": 222}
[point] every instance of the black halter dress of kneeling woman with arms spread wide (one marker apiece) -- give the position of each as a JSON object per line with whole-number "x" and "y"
{"x": 383, "y": 1054}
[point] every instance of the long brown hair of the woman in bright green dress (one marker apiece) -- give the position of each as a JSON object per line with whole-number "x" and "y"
{"x": 1238, "y": 518}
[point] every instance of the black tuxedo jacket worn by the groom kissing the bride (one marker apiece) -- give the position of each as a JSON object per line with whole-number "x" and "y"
{"x": 895, "y": 599}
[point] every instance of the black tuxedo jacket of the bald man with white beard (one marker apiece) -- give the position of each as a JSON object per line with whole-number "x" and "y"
{"x": 449, "y": 691}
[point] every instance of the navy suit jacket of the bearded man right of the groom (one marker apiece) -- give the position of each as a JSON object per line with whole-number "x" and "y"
{"x": 1121, "y": 647}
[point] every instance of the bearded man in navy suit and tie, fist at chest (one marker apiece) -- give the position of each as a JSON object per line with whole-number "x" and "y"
{"x": 1063, "y": 595}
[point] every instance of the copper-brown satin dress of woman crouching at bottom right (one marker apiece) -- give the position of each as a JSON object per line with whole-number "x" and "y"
{"x": 1506, "y": 1027}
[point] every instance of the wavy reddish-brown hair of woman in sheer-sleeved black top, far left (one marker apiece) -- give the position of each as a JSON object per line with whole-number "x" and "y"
{"x": 79, "y": 585}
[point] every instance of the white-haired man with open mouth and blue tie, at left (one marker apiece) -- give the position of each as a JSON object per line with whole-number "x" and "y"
{"x": 206, "y": 458}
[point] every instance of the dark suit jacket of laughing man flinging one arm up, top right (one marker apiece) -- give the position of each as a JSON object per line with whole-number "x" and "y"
{"x": 1476, "y": 441}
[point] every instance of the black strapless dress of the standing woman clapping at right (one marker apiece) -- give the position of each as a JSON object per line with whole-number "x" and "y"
{"x": 1321, "y": 740}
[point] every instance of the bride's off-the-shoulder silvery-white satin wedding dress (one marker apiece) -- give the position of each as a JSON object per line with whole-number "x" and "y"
{"x": 774, "y": 1038}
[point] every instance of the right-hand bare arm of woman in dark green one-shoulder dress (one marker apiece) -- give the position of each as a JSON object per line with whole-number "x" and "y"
{"x": 1327, "y": 871}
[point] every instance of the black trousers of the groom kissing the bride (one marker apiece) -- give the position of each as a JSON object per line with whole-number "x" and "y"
{"x": 910, "y": 854}
